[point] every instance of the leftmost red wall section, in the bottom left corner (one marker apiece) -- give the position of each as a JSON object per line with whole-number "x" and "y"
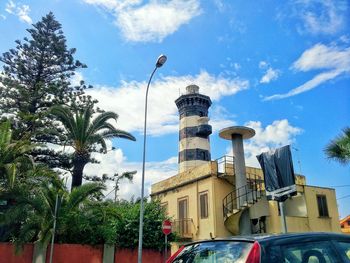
{"x": 7, "y": 254}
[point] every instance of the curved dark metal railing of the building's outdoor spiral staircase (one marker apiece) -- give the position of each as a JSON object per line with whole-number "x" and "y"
{"x": 242, "y": 197}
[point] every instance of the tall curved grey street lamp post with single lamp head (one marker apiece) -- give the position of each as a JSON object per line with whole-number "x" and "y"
{"x": 160, "y": 62}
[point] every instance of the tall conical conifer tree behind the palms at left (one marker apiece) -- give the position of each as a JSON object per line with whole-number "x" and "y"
{"x": 36, "y": 75}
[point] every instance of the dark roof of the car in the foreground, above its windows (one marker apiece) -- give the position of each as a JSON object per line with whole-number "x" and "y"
{"x": 274, "y": 239}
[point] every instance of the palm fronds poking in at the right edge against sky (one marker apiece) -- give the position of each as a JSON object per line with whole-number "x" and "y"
{"x": 339, "y": 148}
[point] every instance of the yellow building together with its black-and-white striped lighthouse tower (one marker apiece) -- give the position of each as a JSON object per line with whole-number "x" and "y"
{"x": 202, "y": 198}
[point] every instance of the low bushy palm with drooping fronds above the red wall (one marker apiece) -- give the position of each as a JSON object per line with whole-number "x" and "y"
{"x": 33, "y": 214}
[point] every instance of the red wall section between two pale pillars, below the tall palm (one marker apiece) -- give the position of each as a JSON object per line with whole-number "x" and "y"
{"x": 75, "y": 253}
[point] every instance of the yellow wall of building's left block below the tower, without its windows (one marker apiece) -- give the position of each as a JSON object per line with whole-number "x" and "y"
{"x": 217, "y": 189}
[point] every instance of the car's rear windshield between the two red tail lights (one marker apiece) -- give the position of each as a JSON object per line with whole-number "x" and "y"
{"x": 215, "y": 252}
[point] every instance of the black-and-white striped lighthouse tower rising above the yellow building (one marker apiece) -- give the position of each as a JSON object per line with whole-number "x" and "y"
{"x": 194, "y": 146}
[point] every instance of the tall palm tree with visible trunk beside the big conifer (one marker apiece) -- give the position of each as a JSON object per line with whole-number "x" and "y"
{"x": 84, "y": 134}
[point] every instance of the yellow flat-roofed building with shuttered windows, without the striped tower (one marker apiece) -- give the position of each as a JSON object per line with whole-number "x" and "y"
{"x": 199, "y": 202}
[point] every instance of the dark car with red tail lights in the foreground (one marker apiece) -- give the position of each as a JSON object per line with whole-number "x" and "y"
{"x": 285, "y": 248}
